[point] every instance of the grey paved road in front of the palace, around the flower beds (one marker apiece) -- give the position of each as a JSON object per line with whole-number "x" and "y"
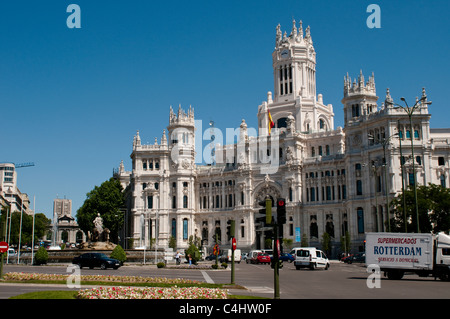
{"x": 341, "y": 281}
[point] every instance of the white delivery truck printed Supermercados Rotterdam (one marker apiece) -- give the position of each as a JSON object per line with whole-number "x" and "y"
{"x": 397, "y": 253}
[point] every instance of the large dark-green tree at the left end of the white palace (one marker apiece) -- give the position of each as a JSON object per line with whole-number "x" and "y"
{"x": 107, "y": 200}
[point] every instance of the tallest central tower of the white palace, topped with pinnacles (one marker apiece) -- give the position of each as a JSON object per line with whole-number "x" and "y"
{"x": 294, "y": 73}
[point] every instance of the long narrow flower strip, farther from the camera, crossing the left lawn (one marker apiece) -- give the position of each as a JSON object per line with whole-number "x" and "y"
{"x": 16, "y": 276}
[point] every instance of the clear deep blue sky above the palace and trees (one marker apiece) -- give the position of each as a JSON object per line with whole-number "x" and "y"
{"x": 72, "y": 99}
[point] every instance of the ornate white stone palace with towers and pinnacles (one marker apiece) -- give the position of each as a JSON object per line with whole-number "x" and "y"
{"x": 333, "y": 179}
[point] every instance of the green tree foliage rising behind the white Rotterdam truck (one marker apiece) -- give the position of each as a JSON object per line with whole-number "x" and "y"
{"x": 433, "y": 203}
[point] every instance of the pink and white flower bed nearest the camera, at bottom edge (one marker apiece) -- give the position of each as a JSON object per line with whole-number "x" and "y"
{"x": 152, "y": 293}
